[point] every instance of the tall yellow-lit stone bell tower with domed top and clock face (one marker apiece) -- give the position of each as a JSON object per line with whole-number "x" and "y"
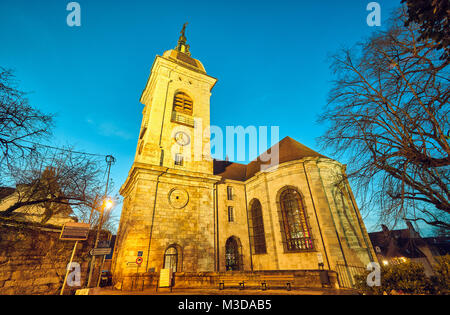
{"x": 168, "y": 210}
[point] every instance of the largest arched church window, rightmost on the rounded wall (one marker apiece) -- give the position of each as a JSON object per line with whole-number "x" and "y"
{"x": 295, "y": 223}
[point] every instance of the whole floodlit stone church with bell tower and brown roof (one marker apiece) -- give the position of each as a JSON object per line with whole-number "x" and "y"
{"x": 186, "y": 212}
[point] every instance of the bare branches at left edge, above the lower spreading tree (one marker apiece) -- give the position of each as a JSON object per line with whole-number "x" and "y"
{"x": 19, "y": 121}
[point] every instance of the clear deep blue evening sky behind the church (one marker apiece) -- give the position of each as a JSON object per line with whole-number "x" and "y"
{"x": 271, "y": 59}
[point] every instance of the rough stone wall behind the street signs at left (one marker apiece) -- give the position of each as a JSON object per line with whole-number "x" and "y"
{"x": 33, "y": 260}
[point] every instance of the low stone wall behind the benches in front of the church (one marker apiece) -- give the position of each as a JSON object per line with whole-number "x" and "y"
{"x": 210, "y": 280}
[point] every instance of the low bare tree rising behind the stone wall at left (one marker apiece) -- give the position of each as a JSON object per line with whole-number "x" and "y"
{"x": 55, "y": 180}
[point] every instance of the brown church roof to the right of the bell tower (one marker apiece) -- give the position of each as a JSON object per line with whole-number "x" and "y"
{"x": 288, "y": 150}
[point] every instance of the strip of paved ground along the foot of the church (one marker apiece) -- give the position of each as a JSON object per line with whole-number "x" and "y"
{"x": 109, "y": 291}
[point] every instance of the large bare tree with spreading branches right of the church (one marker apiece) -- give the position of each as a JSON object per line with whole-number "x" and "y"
{"x": 388, "y": 114}
